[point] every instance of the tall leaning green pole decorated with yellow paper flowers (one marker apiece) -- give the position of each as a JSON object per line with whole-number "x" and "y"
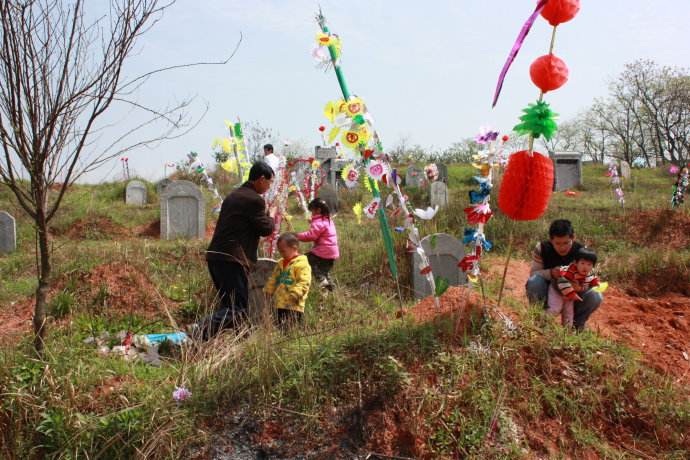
{"x": 350, "y": 116}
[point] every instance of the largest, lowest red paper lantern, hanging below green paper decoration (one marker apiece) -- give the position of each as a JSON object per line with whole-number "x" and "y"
{"x": 526, "y": 187}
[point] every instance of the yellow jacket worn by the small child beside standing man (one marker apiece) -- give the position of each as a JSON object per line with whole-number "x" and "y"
{"x": 290, "y": 285}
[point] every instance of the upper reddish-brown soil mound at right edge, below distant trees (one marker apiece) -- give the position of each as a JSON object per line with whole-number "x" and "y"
{"x": 664, "y": 228}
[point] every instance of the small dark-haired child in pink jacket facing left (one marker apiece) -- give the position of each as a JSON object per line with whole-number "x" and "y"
{"x": 325, "y": 250}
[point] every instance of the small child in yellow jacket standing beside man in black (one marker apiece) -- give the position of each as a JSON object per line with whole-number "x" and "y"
{"x": 289, "y": 283}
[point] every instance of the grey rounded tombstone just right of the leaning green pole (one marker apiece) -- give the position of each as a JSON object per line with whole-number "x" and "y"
{"x": 444, "y": 253}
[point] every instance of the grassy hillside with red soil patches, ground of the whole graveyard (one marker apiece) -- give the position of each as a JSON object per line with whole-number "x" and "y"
{"x": 359, "y": 379}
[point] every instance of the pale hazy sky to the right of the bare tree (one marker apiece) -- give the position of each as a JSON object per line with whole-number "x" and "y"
{"x": 427, "y": 70}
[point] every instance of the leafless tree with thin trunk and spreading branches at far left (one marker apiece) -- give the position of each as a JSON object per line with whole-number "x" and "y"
{"x": 59, "y": 77}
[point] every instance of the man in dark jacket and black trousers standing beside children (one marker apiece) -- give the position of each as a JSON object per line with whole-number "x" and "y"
{"x": 233, "y": 249}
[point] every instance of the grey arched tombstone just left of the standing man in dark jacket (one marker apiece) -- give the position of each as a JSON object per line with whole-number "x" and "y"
{"x": 183, "y": 211}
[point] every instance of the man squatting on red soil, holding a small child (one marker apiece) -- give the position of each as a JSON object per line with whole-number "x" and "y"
{"x": 547, "y": 257}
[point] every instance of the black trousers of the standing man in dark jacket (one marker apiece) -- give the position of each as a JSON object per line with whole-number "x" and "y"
{"x": 230, "y": 279}
